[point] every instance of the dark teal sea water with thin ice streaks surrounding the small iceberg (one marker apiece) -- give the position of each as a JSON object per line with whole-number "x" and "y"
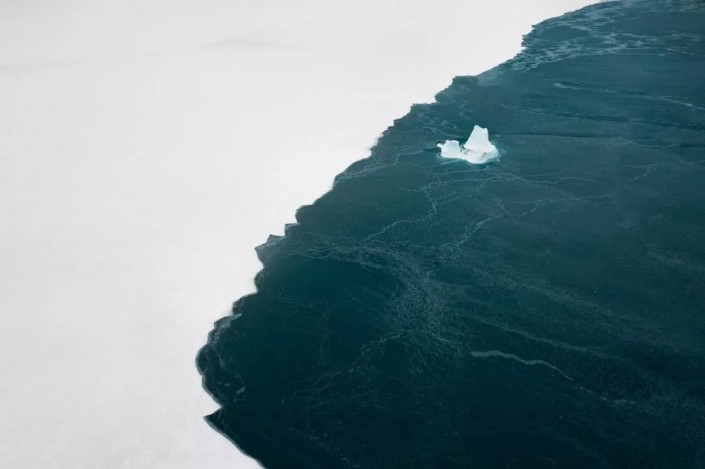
{"x": 544, "y": 310}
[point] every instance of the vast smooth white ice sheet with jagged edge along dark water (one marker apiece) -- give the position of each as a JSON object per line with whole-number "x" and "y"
{"x": 133, "y": 190}
